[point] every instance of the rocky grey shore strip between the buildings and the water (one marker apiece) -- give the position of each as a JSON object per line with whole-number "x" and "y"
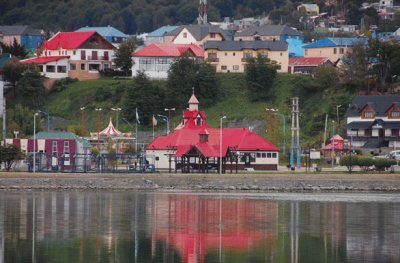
{"x": 203, "y": 182}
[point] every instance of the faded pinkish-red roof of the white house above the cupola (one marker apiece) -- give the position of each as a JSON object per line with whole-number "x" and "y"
{"x": 168, "y": 50}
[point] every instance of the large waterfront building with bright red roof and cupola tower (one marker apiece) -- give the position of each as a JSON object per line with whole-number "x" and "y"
{"x": 195, "y": 146}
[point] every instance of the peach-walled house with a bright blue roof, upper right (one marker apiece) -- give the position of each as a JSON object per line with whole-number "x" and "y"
{"x": 333, "y": 48}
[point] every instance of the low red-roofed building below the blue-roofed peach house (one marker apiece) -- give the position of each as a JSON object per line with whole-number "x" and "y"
{"x": 307, "y": 65}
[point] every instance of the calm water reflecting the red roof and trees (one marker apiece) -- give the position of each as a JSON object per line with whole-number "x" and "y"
{"x": 148, "y": 227}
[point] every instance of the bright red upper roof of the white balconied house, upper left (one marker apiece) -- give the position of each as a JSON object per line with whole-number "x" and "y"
{"x": 70, "y": 40}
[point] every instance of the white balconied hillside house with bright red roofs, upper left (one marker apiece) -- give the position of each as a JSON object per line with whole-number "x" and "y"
{"x": 74, "y": 54}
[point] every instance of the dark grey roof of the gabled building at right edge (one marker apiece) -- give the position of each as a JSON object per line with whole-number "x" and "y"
{"x": 379, "y": 104}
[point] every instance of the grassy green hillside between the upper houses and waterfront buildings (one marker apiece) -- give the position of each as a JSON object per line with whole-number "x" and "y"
{"x": 240, "y": 112}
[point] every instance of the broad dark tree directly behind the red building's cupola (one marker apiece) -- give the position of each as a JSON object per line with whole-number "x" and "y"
{"x": 187, "y": 73}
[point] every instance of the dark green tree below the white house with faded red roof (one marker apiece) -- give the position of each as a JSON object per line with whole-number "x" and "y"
{"x": 143, "y": 96}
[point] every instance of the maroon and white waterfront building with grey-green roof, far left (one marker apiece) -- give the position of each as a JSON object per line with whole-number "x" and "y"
{"x": 58, "y": 150}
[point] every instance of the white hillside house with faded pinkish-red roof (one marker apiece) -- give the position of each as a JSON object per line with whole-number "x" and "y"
{"x": 156, "y": 59}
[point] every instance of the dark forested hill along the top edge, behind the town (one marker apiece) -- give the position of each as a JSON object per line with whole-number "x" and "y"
{"x": 129, "y": 16}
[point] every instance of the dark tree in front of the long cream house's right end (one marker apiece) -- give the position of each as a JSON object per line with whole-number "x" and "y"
{"x": 260, "y": 73}
